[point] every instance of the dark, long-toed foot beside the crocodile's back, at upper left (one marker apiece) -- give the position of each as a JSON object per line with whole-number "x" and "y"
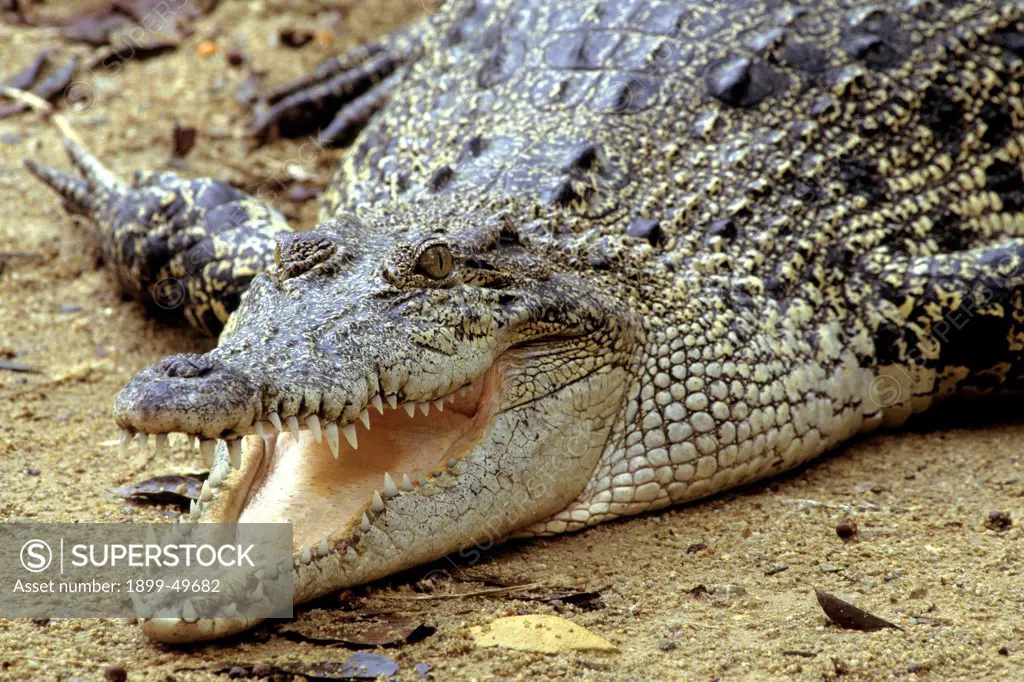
{"x": 342, "y": 95}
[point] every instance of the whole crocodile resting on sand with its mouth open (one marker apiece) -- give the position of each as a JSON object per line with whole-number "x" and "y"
{"x": 582, "y": 261}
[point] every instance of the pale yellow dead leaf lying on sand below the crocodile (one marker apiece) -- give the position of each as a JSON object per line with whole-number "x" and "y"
{"x": 547, "y": 634}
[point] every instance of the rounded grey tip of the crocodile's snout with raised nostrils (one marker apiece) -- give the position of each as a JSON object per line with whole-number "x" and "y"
{"x": 190, "y": 394}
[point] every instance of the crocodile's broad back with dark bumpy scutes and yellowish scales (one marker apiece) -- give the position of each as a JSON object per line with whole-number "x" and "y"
{"x": 773, "y": 140}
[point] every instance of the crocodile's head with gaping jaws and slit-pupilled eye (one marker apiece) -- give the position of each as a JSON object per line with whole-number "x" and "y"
{"x": 398, "y": 388}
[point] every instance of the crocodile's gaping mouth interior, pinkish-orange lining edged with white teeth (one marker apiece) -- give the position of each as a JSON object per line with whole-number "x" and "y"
{"x": 331, "y": 480}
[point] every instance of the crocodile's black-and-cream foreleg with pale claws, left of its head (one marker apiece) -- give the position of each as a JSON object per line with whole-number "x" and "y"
{"x": 188, "y": 249}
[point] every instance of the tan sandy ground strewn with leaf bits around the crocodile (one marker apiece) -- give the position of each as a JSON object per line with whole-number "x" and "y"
{"x": 924, "y": 560}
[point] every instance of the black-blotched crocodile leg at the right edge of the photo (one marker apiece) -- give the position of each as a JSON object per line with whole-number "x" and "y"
{"x": 946, "y": 324}
